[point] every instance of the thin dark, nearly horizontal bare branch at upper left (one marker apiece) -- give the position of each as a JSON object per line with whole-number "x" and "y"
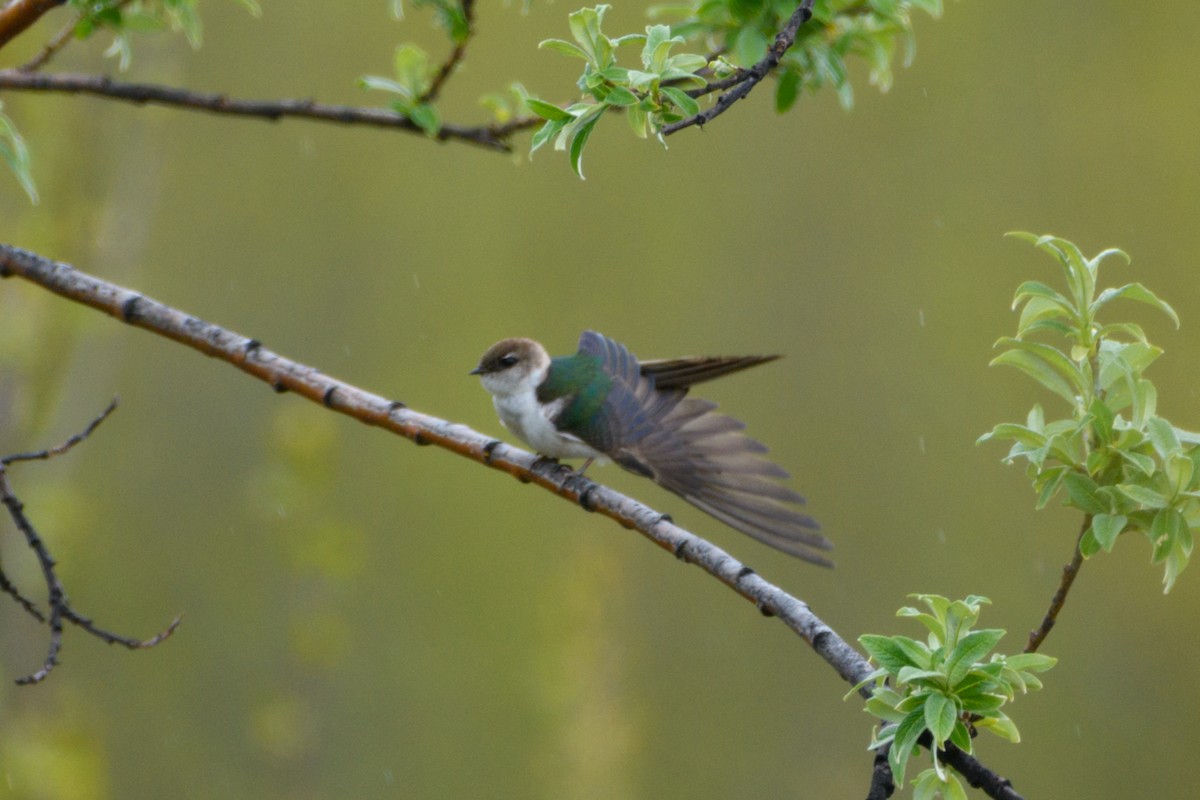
{"x": 494, "y": 137}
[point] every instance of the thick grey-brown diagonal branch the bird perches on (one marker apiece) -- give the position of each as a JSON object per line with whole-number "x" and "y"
{"x": 283, "y": 375}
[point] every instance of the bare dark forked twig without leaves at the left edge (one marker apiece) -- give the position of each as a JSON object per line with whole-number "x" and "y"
{"x": 61, "y": 609}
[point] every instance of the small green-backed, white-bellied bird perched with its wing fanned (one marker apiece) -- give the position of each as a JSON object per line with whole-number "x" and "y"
{"x": 603, "y": 405}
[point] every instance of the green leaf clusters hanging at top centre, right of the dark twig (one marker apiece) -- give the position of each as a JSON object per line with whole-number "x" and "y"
{"x": 737, "y": 35}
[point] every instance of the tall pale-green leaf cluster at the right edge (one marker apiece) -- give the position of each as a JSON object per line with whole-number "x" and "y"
{"x": 1112, "y": 456}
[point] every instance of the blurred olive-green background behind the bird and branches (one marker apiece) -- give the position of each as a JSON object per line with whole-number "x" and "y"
{"x": 367, "y": 619}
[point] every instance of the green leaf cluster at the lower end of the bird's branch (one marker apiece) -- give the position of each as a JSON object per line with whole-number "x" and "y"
{"x": 947, "y": 687}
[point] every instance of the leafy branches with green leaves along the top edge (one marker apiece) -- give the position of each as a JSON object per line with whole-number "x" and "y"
{"x": 806, "y": 45}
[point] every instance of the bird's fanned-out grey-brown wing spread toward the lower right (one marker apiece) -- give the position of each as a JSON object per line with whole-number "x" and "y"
{"x": 700, "y": 455}
